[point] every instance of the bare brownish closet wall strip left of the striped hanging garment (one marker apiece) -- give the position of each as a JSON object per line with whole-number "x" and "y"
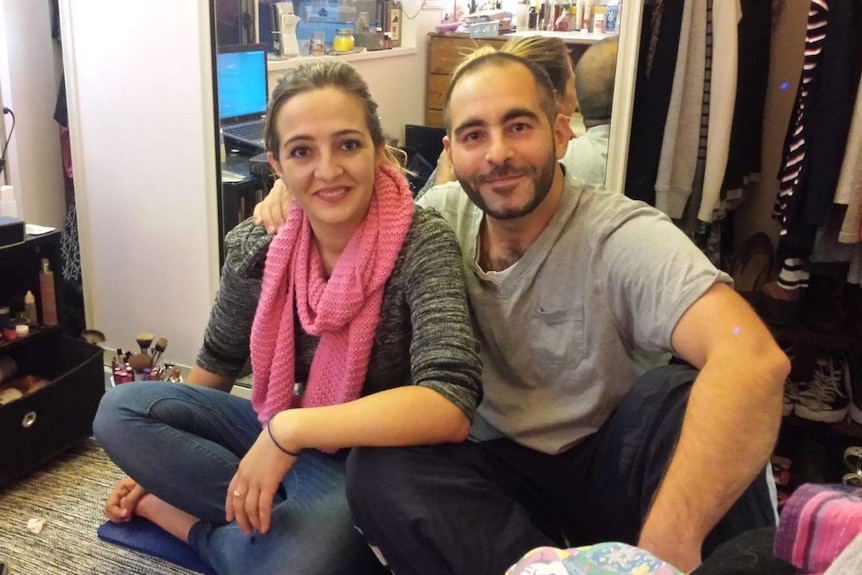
{"x": 787, "y": 53}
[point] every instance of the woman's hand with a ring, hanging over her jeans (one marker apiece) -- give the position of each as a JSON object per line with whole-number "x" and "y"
{"x": 250, "y": 493}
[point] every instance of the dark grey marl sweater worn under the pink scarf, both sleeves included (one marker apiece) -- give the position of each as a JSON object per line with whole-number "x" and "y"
{"x": 424, "y": 336}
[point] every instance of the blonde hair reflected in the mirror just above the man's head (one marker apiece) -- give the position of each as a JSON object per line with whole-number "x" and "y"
{"x": 549, "y": 54}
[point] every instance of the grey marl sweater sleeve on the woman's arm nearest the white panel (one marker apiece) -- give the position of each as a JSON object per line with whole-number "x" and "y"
{"x": 225, "y": 347}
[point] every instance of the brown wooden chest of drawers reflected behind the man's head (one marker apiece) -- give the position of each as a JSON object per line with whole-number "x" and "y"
{"x": 446, "y": 50}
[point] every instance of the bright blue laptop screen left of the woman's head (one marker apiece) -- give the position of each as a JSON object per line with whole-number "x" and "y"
{"x": 241, "y": 83}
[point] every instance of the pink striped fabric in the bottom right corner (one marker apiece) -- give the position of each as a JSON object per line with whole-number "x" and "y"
{"x": 817, "y": 523}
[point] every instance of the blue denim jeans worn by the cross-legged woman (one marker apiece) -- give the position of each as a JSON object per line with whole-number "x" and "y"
{"x": 183, "y": 443}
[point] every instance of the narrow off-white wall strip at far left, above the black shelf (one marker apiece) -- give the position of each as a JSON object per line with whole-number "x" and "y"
{"x": 28, "y": 86}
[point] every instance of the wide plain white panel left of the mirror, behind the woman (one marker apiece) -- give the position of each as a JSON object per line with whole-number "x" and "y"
{"x": 141, "y": 120}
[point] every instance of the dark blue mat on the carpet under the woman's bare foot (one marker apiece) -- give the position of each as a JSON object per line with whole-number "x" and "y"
{"x": 147, "y": 537}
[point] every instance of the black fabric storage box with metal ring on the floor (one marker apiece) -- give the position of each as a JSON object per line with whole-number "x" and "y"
{"x": 41, "y": 425}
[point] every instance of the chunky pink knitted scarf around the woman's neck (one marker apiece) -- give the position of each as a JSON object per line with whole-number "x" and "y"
{"x": 343, "y": 311}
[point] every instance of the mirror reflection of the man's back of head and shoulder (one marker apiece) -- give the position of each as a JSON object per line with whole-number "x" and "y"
{"x": 587, "y": 155}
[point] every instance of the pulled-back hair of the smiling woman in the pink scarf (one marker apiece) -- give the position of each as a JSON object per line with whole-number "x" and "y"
{"x": 328, "y": 74}
